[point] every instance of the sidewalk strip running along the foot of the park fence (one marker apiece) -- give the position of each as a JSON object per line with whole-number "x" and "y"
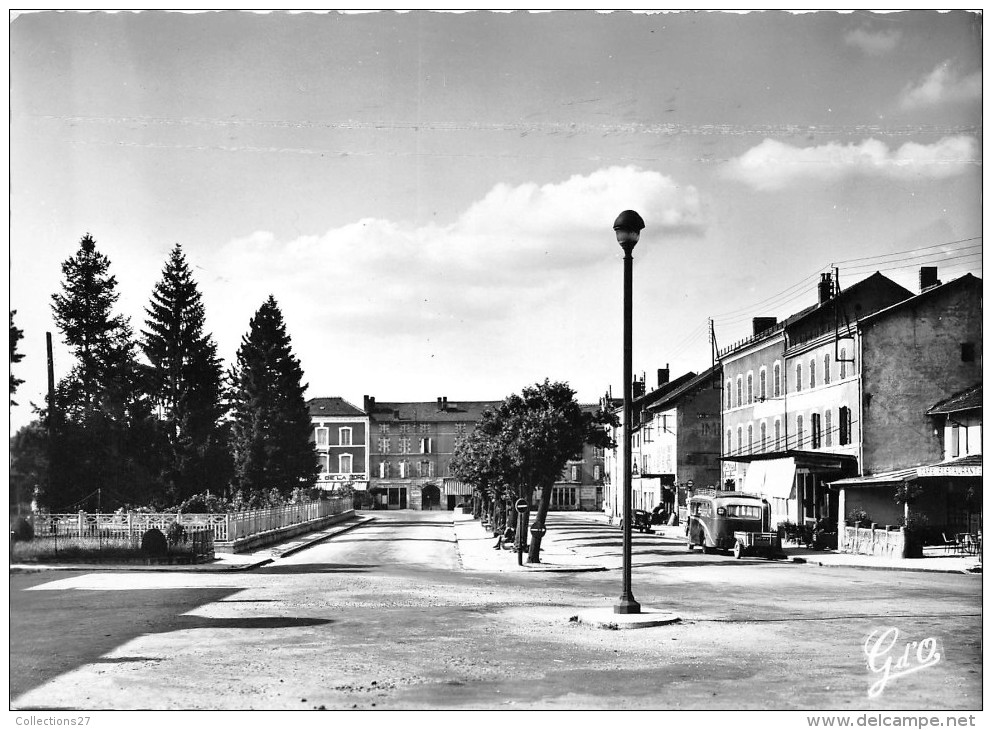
{"x": 223, "y": 562}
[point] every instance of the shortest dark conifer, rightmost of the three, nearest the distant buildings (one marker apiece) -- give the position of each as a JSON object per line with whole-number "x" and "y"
{"x": 271, "y": 422}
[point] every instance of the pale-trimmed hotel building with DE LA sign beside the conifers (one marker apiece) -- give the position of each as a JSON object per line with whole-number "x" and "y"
{"x": 341, "y": 438}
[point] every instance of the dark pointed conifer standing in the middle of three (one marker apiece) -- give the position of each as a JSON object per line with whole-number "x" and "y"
{"x": 184, "y": 380}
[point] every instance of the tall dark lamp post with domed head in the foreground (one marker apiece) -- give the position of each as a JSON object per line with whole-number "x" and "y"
{"x": 628, "y": 227}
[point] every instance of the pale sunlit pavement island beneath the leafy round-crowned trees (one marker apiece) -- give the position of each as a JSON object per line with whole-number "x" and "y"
{"x": 475, "y": 548}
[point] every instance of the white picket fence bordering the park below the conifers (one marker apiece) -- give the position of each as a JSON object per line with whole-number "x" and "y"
{"x": 225, "y": 527}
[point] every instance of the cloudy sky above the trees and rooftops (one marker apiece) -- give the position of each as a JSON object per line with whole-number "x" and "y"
{"x": 430, "y": 196}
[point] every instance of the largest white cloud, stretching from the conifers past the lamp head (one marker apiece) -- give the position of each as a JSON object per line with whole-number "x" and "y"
{"x": 372, "y": 283}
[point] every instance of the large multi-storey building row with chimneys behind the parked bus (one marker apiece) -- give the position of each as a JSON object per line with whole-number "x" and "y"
{"x": 837, "y": 391}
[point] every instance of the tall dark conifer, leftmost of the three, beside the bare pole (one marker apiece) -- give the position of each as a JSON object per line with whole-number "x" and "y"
{"x": 101, "y": 429}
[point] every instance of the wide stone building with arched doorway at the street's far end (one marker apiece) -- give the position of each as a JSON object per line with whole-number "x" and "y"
{"x": 411, "y": 446}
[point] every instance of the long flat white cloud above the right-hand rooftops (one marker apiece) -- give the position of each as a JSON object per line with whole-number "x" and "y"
{"x": 772, "y": 165}
